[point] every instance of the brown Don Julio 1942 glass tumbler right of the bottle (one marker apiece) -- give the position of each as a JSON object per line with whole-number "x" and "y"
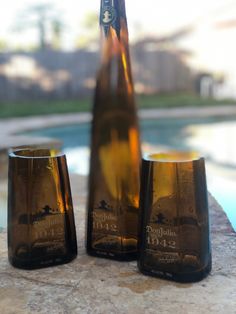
{"x": 174, "y": 230}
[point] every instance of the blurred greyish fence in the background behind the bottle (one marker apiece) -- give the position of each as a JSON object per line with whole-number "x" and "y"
{"x": 66, "y": 75}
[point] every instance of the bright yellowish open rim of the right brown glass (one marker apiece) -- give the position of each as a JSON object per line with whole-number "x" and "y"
{"x": 173, "y": 157}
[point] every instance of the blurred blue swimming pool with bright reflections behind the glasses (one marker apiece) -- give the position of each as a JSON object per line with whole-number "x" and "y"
{"x": 212, "y": 137}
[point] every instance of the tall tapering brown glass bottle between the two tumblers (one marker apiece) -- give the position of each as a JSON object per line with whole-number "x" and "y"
{"x": 115, "y": 147}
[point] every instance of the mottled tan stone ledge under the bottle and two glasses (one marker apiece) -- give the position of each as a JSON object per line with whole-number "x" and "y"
{"x": 98, "y": 286}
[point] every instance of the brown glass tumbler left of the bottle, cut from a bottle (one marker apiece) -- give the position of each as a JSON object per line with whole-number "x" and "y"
{"x": 41, "y": 229}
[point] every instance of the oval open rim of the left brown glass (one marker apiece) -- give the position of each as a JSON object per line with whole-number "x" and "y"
{"x": 52, "y": 153}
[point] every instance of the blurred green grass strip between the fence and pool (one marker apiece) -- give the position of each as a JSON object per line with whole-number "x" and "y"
{"x": 22, "y": 109}
